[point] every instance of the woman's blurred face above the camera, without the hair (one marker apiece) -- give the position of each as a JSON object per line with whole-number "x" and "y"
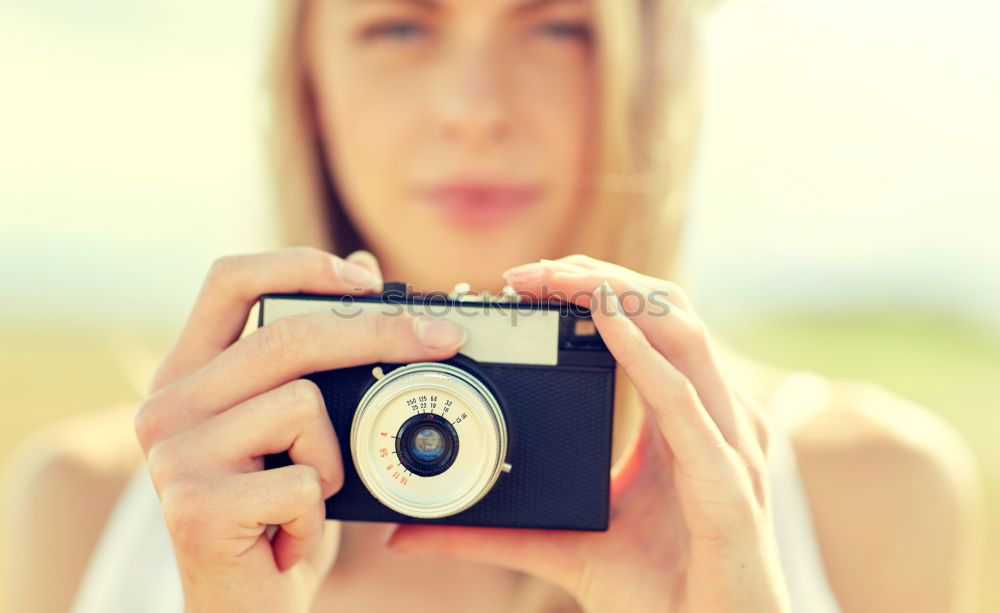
{"x": 459, "y": 132}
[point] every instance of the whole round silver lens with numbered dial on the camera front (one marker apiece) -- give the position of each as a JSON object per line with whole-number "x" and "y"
{"x": 405, "y": 439}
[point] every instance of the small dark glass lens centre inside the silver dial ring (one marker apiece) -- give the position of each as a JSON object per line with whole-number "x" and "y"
{"x": 427, "y": 444}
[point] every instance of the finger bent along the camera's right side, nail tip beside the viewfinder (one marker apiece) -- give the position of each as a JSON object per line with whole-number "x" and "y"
{"x": 693, "y": 436}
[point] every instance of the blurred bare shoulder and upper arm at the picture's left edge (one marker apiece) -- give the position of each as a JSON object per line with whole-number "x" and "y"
{"x": 62, "y": 484}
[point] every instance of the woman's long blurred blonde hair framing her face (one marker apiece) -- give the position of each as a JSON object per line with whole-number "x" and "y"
{"x": 648, "y": 60}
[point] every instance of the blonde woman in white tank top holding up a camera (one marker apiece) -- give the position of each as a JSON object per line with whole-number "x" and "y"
{"x": 444, "y": 140}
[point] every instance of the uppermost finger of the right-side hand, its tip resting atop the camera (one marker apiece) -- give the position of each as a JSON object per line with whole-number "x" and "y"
{"x": 676, "y": 333}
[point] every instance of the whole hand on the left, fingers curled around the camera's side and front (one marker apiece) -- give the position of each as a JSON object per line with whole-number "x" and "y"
{"x": 218, "y": 403}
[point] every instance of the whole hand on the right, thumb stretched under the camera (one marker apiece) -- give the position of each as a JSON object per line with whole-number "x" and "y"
{"x": 690, "y": 527}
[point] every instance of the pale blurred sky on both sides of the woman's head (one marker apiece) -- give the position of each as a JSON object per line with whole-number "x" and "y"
{"x": 851, "y": 155}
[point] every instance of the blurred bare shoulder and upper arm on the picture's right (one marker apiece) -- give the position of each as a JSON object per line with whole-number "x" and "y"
{"x": 895, "y": 495}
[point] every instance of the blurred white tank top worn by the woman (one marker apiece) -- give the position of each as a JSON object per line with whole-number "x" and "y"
{"x": 133, "y": 567}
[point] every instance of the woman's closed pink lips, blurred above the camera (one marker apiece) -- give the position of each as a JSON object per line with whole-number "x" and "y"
{"x": 480, "y": 203}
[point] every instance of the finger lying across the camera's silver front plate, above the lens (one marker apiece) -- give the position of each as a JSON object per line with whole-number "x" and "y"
{"x": 285, "y": 350}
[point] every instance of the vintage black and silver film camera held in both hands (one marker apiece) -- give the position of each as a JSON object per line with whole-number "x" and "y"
{"x": 513, "y": 431}
